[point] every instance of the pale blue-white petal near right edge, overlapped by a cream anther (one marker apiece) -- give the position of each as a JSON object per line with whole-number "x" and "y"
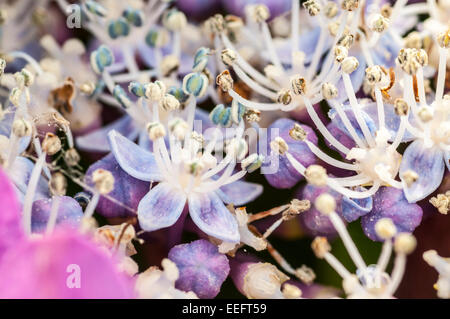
{"x": 428, "y": 163}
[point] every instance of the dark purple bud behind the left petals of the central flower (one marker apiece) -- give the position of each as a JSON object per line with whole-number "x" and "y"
{"x": 127, "y": 189}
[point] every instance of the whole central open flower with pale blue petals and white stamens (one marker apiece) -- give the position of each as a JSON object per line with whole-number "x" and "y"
{"x": 193, "y": 184}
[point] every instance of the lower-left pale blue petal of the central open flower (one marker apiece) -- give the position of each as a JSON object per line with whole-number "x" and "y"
{"x": 161, "y": 207}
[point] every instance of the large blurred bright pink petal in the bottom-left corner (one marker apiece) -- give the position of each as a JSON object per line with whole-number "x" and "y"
{"x": 47, "y": 268}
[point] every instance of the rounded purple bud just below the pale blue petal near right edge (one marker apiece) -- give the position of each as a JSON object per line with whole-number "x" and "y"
{"x": 390, "y": 202}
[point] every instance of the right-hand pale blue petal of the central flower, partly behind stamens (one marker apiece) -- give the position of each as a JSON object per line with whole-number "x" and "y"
{"x": 240, "y": 192}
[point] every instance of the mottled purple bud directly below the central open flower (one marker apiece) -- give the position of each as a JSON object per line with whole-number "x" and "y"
{"x": 202, "y": 268}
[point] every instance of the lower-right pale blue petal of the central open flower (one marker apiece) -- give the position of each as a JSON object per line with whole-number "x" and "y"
{"x": 210, "y": 214}
